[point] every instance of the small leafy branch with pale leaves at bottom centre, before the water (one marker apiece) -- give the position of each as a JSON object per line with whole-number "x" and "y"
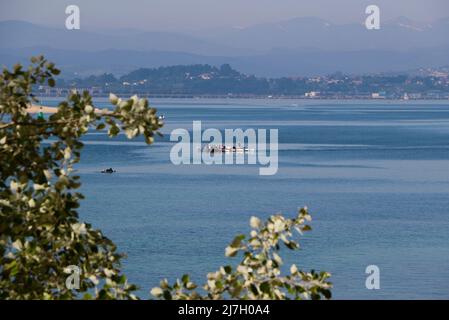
{"x": 258, "y": 275}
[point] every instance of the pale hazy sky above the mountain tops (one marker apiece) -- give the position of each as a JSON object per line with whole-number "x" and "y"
{"x": 185, "y": 15}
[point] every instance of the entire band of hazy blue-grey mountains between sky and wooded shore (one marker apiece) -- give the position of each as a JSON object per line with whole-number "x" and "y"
{"x": 296, "y": 47}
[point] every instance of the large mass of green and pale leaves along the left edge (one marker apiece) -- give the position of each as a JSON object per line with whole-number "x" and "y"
{"x": 40, "y": 232}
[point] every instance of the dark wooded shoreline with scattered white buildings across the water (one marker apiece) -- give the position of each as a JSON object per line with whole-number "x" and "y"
{"x": 205, "y": 81}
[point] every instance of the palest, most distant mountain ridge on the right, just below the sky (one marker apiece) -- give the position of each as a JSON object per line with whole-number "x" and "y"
{"x": 317, "y": 34}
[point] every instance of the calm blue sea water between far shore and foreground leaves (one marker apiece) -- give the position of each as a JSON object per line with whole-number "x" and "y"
{"x": 375, "y": 176}
